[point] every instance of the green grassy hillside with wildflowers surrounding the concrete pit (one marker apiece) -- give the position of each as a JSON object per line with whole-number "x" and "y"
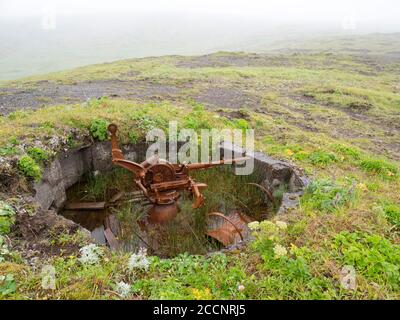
{"x": 335, "y": 115}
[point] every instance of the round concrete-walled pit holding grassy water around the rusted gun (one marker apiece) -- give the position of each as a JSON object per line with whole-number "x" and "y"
{"x": 120, "y": 219}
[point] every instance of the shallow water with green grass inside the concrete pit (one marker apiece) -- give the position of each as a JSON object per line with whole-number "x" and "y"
{"x": 122, "y": 224}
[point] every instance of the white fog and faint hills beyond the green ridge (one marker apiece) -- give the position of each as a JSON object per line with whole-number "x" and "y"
{"x": 43, "y": 36}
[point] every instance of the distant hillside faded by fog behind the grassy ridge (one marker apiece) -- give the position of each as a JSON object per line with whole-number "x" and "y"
{"x": 27, "y": 49}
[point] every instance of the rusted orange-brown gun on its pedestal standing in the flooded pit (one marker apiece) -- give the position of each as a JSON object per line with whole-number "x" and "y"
{"x": 160, "y": 181}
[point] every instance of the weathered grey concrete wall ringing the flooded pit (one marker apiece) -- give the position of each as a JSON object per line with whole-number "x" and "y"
{"x": 70, "y": 167}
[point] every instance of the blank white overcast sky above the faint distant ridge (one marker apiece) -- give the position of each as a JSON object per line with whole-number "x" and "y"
{"x": 384, "y": 11}
